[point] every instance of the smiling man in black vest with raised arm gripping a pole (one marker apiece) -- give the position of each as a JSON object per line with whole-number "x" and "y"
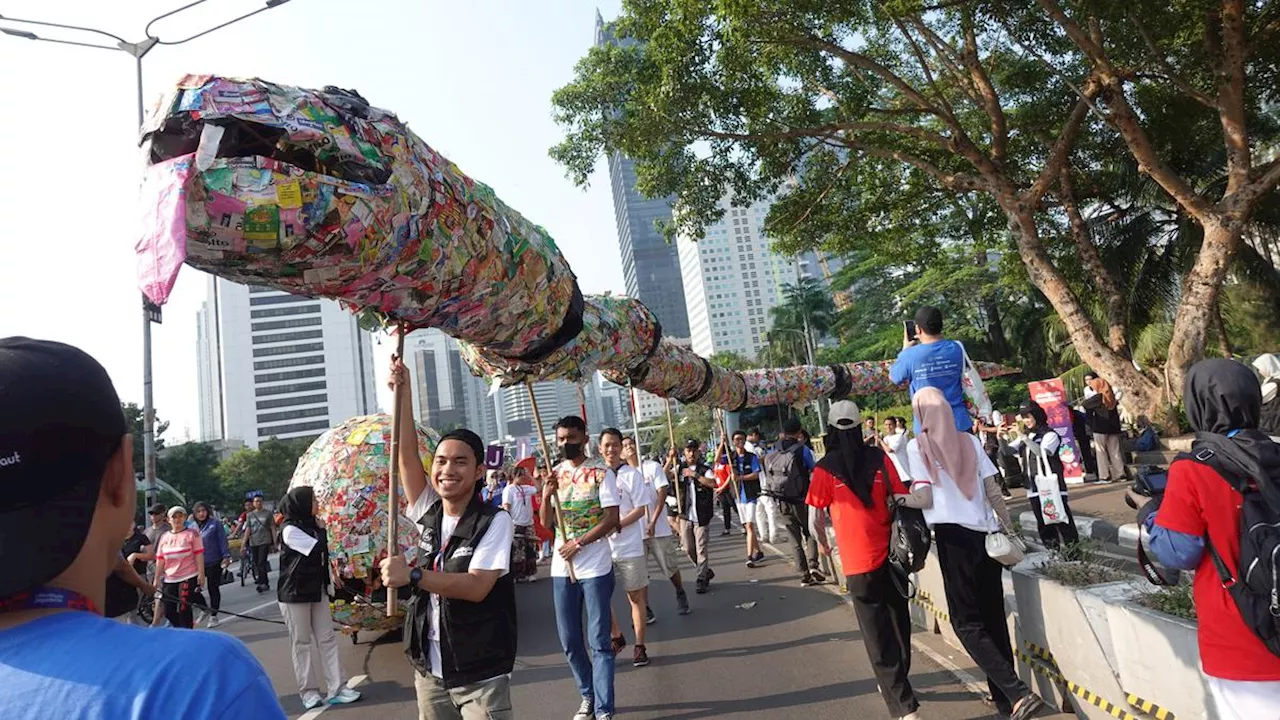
{"x": 460, "y": 627}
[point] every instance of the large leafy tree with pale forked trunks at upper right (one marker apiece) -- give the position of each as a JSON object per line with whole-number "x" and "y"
{"x": 875, "y": 115}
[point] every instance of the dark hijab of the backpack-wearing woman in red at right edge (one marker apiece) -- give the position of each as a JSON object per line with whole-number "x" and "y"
{"x": 1222, "y": 398}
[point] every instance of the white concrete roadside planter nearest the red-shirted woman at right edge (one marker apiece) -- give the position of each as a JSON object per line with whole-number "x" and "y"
{"x": 1158, "y": 658}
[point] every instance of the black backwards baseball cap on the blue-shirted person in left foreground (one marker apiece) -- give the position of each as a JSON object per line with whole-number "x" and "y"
{"x": 61, "y": 423}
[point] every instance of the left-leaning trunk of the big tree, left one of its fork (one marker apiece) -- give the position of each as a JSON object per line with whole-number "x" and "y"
{"x": 1141, "y": 395}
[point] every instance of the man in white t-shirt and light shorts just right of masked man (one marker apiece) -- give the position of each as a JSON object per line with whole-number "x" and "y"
{"x": 628, "y": 544}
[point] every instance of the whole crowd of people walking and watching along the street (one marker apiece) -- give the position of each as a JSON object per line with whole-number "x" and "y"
{"x": 598, "y": 517}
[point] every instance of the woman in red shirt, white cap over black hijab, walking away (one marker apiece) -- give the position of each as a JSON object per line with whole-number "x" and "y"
{"x": 856, "y": 482}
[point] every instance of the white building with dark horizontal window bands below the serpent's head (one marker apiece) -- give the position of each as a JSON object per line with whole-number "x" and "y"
{"x": 272, "y": 364}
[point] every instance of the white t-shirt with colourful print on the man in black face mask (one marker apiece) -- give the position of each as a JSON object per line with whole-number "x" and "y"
{"x": 583, "y": 495}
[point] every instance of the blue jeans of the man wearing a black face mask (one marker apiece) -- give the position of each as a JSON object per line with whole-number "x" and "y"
{"x": 595, "y": 675}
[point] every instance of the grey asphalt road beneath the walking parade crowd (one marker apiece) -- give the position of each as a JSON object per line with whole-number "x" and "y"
{"x": 796, "y": 654}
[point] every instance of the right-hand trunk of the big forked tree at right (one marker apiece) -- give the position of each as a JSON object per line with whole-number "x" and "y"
{"x": 1200, "y": 299}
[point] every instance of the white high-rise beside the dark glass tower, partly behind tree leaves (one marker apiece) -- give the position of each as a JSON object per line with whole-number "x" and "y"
{"x": 733, "y": 280}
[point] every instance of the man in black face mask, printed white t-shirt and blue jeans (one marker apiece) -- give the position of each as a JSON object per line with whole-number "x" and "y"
{"x": 586, "y": 496}
